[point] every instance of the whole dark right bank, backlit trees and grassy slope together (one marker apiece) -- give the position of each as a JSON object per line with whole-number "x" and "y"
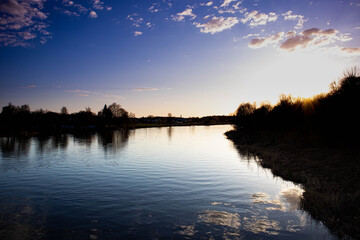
{"x": 314, "y": 142}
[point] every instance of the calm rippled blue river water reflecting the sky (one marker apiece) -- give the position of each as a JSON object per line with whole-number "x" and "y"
{"x": 178, "y": 183}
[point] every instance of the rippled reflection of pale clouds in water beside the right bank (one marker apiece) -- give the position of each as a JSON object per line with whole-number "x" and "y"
{"x": 230, "y": 223}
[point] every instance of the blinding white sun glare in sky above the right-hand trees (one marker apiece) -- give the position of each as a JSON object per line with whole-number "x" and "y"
{"x": 301, "y": 74}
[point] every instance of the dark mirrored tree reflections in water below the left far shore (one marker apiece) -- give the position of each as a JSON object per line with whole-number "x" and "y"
{"x": 19, "y": 147}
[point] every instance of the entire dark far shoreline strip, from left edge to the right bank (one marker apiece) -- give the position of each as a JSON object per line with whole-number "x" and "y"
{"x": 19, "y": 120}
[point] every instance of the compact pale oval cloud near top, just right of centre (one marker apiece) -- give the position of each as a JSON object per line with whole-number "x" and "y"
{"x": 217, "y": 24}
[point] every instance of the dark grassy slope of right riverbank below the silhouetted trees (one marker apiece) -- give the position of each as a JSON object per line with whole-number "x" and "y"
{"x": 330, "y": 175}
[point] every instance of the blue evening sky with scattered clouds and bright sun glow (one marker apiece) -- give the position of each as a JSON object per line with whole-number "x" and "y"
{"x": 188, "y": 58}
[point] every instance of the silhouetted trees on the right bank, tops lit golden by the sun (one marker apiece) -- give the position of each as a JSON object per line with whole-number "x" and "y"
{"x": 331, "y": 117}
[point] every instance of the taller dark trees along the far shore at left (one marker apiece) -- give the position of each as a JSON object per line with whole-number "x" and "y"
{"x": 17, "y": 119}
